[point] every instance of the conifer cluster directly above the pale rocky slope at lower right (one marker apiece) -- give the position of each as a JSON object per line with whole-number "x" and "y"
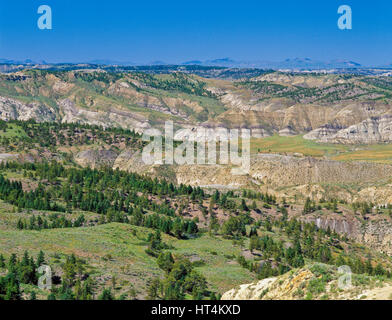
{"x": 306, "y": 241}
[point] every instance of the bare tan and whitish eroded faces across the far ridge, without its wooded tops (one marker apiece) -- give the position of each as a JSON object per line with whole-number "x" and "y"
{"x": 238, "y": 106}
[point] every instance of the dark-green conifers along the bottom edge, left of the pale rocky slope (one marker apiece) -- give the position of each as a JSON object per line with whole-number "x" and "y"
{"x": 76, "y": 284}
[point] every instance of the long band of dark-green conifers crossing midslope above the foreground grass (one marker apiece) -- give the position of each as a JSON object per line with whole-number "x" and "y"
{"x": 120, "y": 197}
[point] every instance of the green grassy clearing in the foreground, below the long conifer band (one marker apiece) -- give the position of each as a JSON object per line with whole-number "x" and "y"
{"x": 113, "y": 249}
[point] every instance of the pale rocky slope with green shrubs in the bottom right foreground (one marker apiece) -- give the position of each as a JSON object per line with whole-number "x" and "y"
{"x": 315, "y": 282}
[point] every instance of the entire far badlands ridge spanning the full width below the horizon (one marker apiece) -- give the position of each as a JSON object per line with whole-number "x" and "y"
{"x": 270, "y": 102}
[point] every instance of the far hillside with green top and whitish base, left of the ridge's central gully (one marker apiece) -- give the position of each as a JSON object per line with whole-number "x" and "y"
{"x": 128, "y": 100}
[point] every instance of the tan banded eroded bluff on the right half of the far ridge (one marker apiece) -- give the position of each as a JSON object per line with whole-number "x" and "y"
{"x": 276, "y": 113}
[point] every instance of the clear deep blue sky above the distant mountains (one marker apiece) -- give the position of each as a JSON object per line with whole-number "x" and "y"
{"x": 177, "y": 31}
